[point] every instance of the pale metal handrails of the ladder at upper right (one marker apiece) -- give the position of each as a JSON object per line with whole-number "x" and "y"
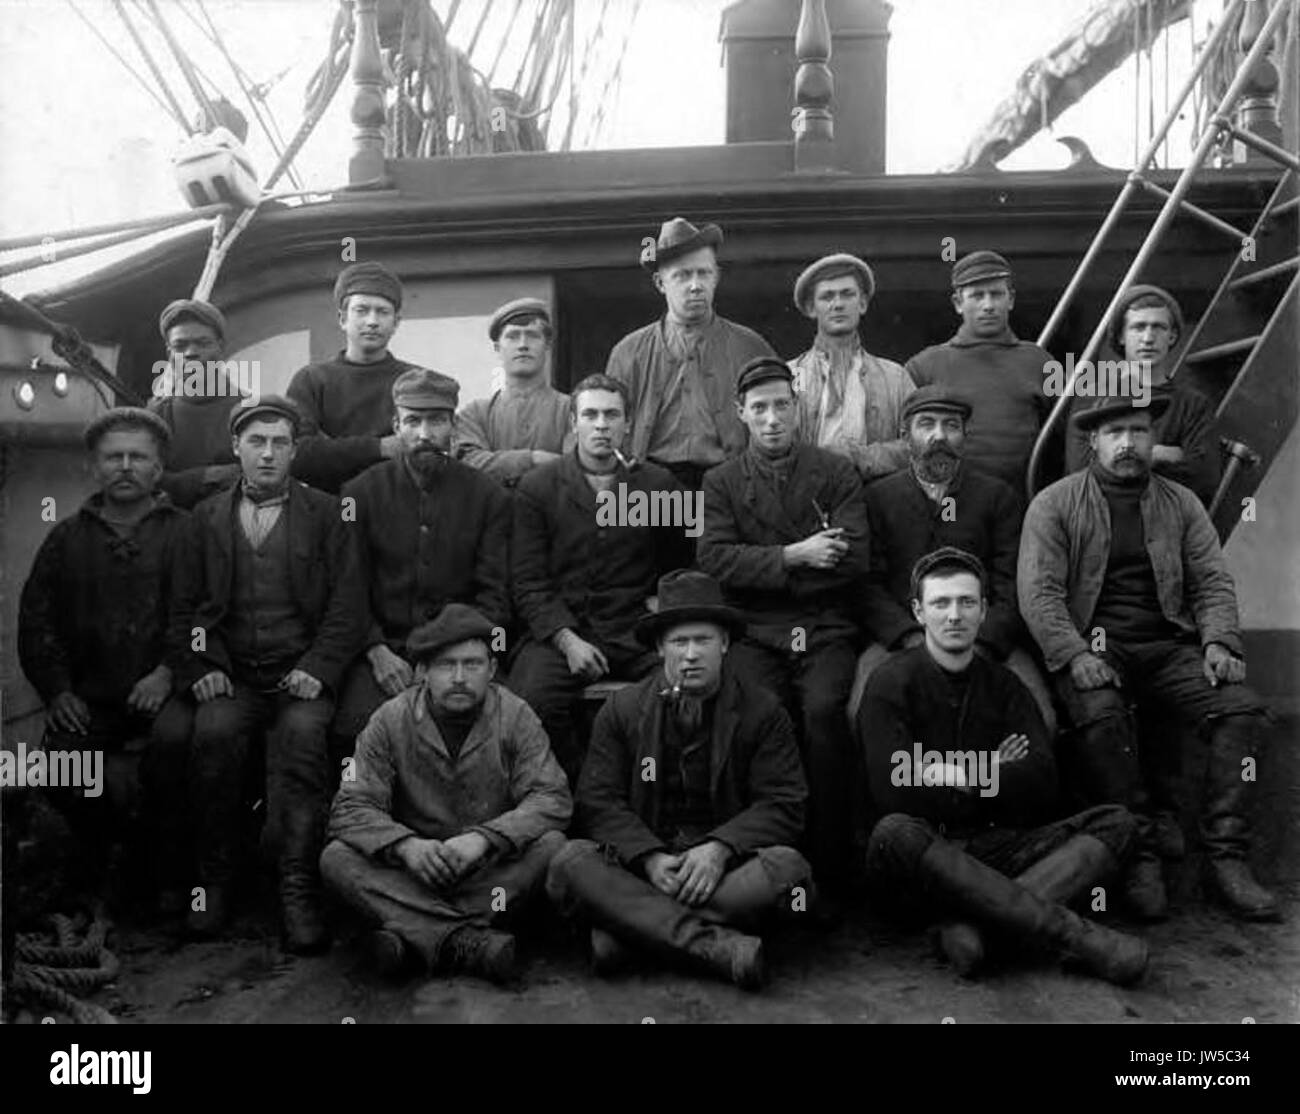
{"x": 1175, "y": 203}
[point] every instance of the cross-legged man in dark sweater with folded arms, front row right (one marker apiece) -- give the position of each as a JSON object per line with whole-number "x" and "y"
{"x": 961, "y": 765}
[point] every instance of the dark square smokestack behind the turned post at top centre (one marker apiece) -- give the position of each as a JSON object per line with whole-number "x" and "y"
{"x": 759, "y": 45}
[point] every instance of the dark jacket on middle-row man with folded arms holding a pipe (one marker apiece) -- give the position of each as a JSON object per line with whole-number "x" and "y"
{"x": 747, "y": 526}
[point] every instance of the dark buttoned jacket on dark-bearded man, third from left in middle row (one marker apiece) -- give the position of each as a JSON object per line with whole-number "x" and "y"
{"x": 423, "y": 549}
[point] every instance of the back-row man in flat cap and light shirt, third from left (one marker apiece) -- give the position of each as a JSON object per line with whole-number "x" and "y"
{"x": 526, "y": 422}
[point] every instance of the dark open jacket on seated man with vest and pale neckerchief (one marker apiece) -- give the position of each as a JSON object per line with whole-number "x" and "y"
{"x": 324, "y": 573}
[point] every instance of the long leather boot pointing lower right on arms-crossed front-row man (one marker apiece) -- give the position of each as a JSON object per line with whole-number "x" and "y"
{"x": 991, "y": 898}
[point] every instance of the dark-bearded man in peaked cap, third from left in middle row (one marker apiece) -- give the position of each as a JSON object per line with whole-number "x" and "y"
{"x": 432, "y": 532}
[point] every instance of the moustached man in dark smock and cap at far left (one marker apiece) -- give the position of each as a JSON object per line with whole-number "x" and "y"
{"x": 94, "y": 622}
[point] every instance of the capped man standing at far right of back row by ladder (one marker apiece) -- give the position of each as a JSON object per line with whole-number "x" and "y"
{"x": 1146, "y": 330}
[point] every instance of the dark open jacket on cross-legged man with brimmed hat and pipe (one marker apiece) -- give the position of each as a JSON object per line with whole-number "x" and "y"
{"x": 757, "y": 781}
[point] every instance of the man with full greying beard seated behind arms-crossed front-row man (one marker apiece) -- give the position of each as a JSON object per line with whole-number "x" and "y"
{"x": 941, "y": 502}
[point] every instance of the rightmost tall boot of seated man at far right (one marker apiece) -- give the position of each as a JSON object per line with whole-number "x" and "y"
{"x": 1227, "y": 822}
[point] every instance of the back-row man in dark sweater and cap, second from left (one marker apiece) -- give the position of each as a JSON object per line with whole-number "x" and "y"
{"x": 346, "y": 402}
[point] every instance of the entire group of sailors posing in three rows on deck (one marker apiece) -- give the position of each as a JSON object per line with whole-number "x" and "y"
{"x": 846, "y": 678}
